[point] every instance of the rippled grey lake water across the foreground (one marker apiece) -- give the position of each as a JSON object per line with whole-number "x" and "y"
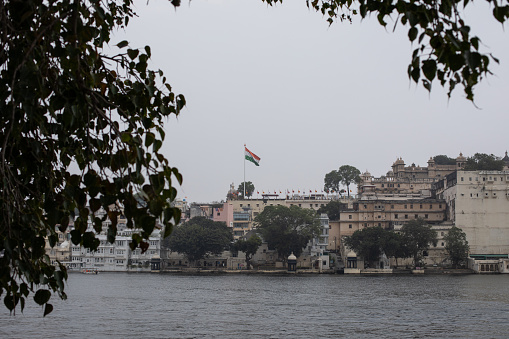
{"x": 121, "y": 305}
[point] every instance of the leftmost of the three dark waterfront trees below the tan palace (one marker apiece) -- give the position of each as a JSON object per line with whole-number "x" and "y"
{"x": 367, "y": 243}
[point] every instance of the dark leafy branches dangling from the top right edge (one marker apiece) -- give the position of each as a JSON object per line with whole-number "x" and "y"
{"x": 444, "y": 51}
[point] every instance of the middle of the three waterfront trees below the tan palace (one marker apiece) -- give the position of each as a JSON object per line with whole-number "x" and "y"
{"x": 418, "y": 237}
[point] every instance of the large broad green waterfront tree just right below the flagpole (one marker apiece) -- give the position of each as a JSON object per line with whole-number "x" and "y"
{"x": 287, "y": 229}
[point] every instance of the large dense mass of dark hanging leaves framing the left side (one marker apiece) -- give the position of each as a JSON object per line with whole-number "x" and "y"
{"x": 64, "y": 102}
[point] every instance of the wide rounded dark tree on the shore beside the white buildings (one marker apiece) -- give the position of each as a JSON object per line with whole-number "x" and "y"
{"x": 200, "y": 237}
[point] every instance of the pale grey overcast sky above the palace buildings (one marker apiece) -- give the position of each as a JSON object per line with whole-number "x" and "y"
{"x": 306, "y": 97}
